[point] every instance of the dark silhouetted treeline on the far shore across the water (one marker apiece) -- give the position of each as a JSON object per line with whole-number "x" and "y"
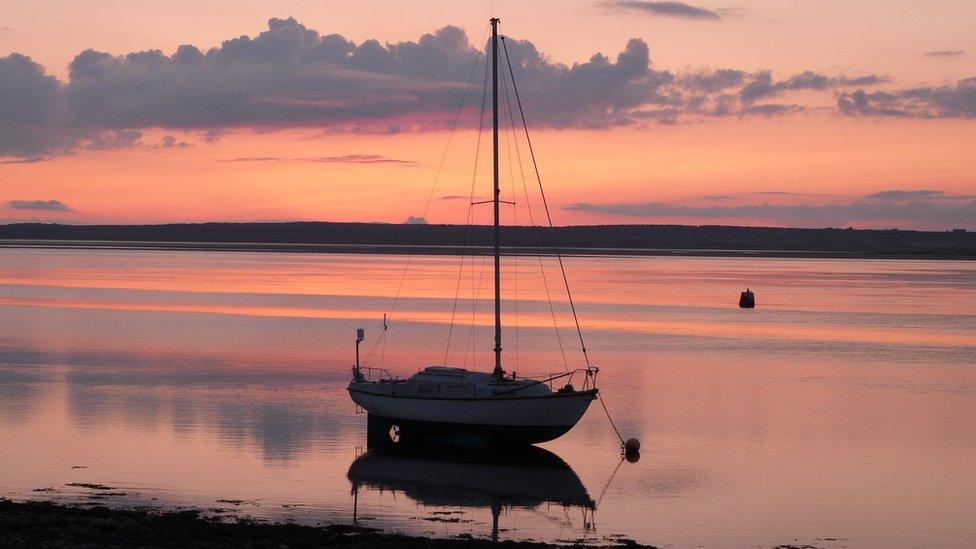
{"x": 884, "y": 243}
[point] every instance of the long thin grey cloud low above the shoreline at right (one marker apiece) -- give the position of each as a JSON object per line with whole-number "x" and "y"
{"x": 925, "y": 208}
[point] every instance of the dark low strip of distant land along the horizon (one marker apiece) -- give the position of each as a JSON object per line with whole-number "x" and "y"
{"x": 596, "y": 240}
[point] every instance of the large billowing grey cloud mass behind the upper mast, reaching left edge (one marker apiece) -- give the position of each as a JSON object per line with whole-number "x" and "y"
{"x": 291, "y": 76}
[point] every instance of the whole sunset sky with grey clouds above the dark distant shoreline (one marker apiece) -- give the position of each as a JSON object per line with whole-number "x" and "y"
{"x": 781, "y": 113}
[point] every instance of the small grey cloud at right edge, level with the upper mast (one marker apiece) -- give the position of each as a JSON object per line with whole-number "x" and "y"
{"x": 958, "y": 101}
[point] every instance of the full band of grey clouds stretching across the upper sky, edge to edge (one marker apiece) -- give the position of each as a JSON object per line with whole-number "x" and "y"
{"x": 290, "y": 76}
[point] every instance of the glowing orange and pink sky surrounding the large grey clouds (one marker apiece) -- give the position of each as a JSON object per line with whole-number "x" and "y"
{"x": 643, "y": 173}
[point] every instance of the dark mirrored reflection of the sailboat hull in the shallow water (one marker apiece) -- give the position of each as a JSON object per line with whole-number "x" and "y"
{"x": 479, "y": 478}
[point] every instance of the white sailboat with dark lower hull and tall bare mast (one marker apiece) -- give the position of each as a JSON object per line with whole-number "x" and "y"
{"x": 494, "y": 407}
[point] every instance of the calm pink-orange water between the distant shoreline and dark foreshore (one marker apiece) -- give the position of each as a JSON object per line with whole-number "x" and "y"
{"x": 839, "y": 413}
